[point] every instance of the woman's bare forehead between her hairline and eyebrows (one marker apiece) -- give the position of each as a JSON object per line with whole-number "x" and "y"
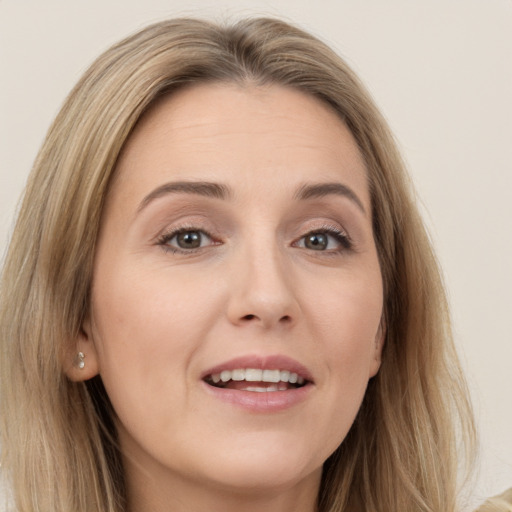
{"x": 232, "y": 133}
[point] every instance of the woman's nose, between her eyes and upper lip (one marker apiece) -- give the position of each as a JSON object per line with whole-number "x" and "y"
{"x": 262, "y": 290}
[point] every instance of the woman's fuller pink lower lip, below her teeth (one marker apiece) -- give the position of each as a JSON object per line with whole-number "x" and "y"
{"x": 265, "y": 402}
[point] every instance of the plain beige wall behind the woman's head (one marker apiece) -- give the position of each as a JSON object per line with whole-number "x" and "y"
{"x": 441, "y": 71}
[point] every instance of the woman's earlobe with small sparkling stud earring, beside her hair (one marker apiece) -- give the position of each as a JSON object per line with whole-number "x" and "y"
{"x": 81, "y": 357}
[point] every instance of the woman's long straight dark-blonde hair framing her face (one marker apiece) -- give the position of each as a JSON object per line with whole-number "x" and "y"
{"x": 58, "y": 440}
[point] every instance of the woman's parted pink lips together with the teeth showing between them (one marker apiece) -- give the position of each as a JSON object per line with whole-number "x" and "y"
{"x": 265, "y": 384}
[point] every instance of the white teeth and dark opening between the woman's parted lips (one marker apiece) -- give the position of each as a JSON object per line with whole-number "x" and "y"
{"x": 256, "y": 380}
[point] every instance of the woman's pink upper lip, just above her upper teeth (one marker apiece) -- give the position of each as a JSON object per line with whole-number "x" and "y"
{"x": 270, "y": 362}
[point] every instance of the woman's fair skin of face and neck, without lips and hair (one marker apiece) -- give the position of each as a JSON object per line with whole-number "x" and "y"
{"x": 162, "y": 316}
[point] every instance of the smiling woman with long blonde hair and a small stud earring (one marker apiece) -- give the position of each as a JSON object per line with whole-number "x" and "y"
{"x": 219, "y": 293}
